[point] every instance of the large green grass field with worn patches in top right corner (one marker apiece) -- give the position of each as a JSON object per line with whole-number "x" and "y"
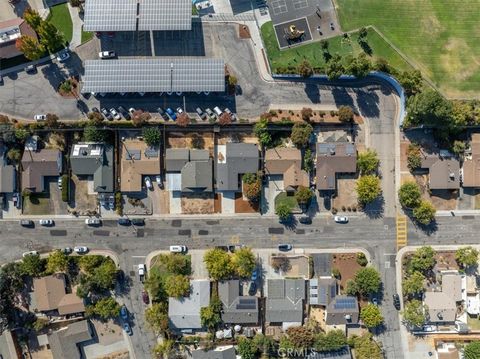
{"x": 440, "y": 36}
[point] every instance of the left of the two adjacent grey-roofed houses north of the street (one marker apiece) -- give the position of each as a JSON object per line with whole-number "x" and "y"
{"x": 189, "y": 171}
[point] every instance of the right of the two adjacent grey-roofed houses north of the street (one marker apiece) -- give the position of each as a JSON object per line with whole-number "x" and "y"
{"x": 234, "y": 160}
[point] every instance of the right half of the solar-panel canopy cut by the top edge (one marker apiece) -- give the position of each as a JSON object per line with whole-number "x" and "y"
{"x": 165, "y": 15}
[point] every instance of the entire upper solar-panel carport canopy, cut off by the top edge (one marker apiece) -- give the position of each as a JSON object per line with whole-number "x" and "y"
{"x": 133, "y": 15}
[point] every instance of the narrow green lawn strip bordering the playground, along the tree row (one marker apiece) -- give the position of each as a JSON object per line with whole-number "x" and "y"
{"x": 313, "y": 52}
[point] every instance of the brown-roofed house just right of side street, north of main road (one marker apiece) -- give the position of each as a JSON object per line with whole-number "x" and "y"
{"x": 443, "y": 169}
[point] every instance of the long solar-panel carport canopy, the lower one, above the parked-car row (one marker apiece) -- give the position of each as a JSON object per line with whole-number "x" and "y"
{"x": 154, "y": 75}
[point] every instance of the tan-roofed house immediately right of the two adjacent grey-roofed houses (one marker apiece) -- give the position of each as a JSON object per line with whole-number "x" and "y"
{"x": 287, "y": 162}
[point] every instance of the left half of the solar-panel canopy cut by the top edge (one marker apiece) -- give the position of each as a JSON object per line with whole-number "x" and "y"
{"x": 110, "y": 15}
